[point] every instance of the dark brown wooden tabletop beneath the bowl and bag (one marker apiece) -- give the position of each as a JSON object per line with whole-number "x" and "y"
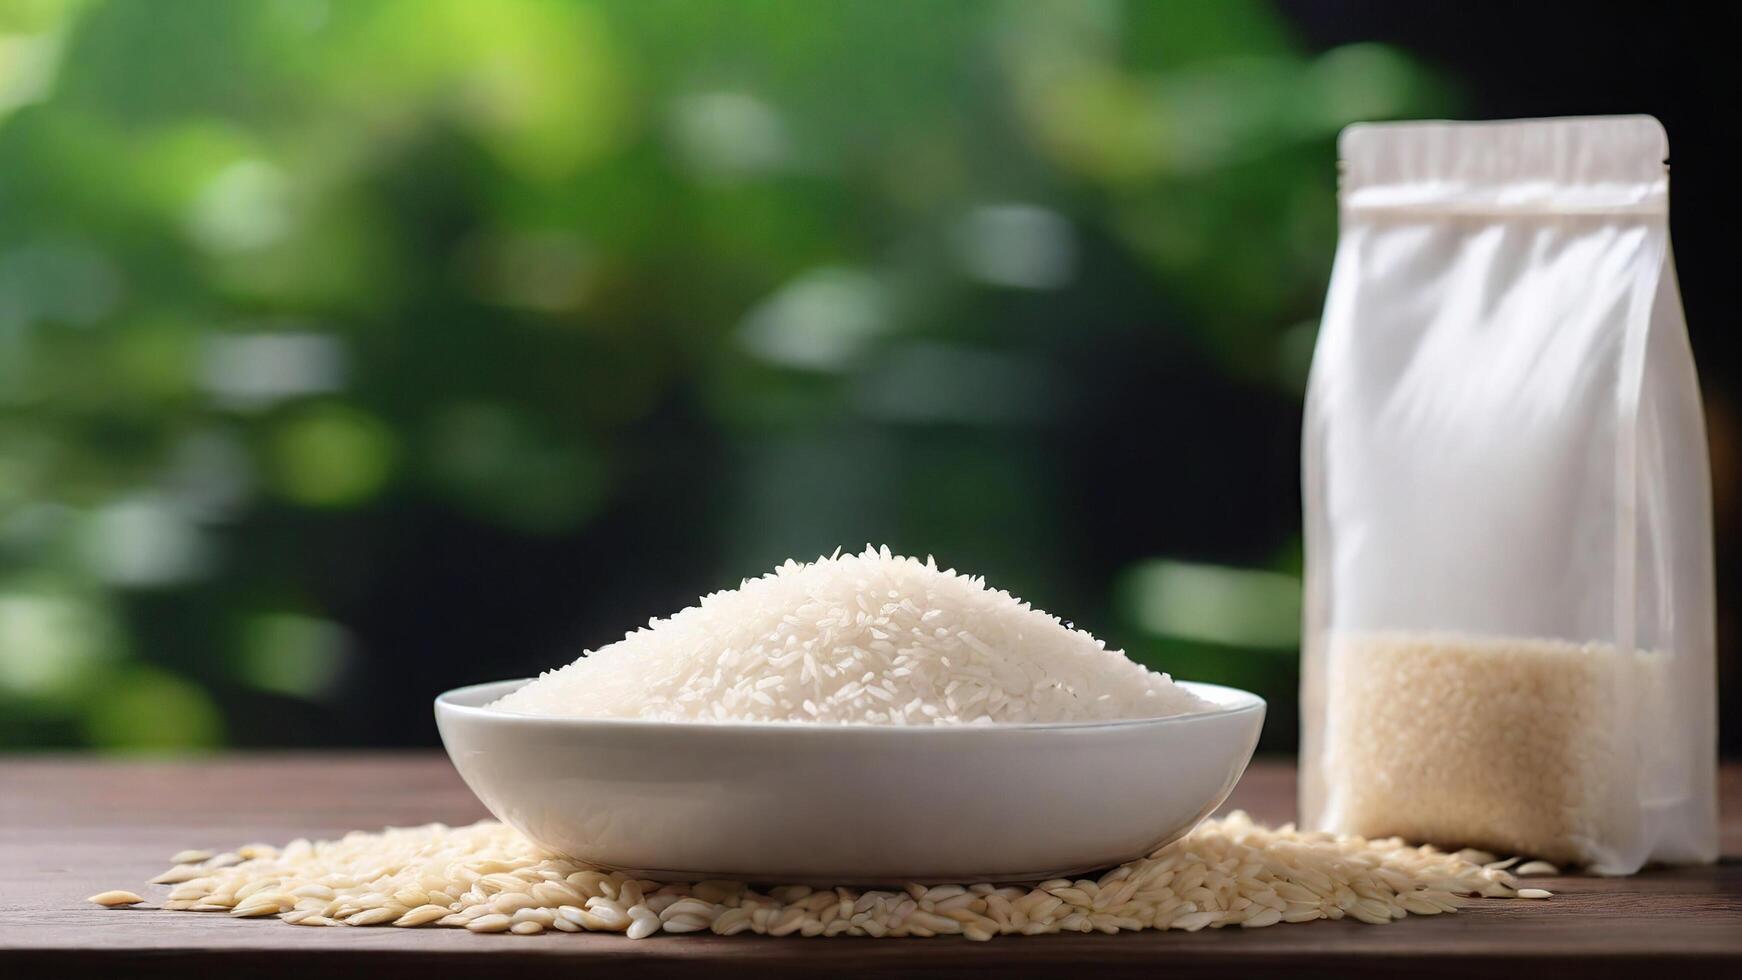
{"x": 72, "y": 828}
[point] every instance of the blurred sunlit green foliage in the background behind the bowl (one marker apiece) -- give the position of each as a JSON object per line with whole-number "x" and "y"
{"x": 288, "y": 269}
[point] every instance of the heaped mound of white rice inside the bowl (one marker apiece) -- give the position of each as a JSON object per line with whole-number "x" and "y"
{"x": 856, "y": 640}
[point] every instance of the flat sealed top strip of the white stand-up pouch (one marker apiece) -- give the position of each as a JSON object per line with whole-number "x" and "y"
{"x": 1551, "y": 166}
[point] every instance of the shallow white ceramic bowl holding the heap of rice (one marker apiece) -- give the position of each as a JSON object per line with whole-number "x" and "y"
{"x": 793, "y": 803}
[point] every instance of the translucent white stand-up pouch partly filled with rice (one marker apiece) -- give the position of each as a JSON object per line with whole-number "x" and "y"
{"x": 1509, "y": 540}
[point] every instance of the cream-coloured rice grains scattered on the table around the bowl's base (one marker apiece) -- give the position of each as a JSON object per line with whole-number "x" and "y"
{"x": 1227, "y": 873}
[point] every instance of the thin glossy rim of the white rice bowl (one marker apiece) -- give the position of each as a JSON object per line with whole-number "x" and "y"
{"x": 1225, "y": 701}
